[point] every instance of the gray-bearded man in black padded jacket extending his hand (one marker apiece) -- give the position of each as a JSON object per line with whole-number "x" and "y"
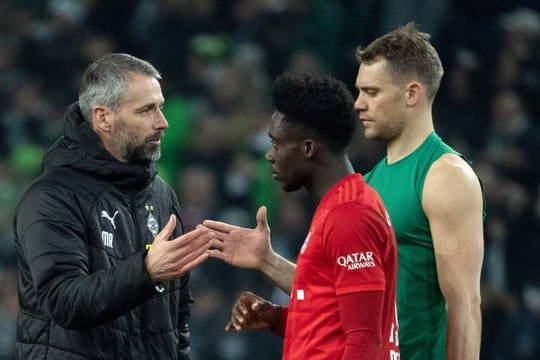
{"x": 103, "y": 265}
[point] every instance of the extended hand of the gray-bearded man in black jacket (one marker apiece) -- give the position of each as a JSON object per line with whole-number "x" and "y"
{"x": 170, "y": 259}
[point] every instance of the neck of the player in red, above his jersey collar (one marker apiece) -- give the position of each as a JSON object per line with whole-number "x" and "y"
{"x": 329, "y": 173}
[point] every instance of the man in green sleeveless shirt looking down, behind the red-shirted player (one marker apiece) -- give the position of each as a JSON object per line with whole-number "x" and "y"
{"x": 432, "y": 195}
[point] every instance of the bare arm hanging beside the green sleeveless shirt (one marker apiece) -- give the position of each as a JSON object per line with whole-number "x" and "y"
{"x": 452, "y": 201}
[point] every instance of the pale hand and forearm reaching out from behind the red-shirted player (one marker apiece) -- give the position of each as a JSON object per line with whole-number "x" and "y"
{"x": 251, "y": 249}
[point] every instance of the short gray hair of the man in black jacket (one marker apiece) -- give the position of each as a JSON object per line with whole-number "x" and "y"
{"x": 104, "y": 82}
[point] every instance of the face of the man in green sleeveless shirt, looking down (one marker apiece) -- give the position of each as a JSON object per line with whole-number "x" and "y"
{"x": 381, "y": 101}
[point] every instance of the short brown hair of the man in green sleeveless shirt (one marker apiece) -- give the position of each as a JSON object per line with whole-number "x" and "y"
{"x": 409, "y": 54}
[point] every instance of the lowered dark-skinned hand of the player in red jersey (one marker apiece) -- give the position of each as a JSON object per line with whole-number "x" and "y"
{"x": 253, "y": 312}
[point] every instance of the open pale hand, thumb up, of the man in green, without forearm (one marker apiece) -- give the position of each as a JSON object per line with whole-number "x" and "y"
{"x": 238, "y": 246}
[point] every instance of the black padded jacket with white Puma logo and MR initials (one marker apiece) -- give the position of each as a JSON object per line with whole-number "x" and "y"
{"x": 81, "y": 233}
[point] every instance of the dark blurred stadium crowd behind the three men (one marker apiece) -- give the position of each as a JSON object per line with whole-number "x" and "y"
{"x": 218, "y": 59}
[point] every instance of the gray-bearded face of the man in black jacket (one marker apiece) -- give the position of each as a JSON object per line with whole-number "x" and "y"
{"x": 140, "y": 124}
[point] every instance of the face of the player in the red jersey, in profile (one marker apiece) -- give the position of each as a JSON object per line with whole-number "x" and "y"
{"x": 286, "y": 156}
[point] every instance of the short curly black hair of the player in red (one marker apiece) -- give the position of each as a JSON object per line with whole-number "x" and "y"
{"x": 321, "y": 105}
